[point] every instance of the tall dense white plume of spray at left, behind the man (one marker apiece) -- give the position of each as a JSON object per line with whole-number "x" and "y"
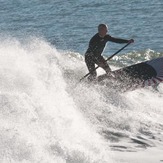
{"x": 40, "y": 121}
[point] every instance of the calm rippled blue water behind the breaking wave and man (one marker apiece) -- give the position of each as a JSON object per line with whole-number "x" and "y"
{"x": 70, "y": 25}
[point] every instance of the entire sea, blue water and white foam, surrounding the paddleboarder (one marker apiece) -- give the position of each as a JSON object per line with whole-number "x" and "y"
{"x": 44, "y": 116}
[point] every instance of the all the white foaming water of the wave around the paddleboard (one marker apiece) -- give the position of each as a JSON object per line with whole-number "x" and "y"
{"x": 45, "y": 117}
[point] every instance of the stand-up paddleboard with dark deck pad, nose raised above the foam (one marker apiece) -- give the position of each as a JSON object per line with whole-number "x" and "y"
{"x": 134, "y": 76}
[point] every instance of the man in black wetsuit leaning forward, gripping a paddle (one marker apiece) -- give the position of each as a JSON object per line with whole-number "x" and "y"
{"x": 95, "y": 49}
